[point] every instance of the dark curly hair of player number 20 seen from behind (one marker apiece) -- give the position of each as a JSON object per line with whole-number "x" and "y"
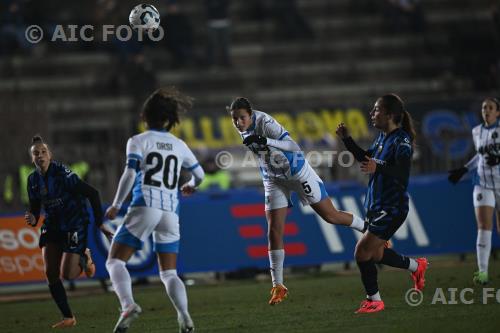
{"x": 163, "y": 107}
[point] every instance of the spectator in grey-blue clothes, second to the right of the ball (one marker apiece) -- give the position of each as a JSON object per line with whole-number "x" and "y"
{"x": 219, "y": 28}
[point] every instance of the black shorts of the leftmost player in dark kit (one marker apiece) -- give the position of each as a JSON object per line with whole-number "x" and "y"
{"x": 73, "y": 241}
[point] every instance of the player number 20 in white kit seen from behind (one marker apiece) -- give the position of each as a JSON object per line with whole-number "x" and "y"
{"x": 154, "y": 161}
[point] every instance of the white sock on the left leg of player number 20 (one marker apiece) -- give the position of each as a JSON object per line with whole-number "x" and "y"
{"x": 122, "y": 283}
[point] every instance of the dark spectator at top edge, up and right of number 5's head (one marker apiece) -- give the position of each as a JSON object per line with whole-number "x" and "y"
{"x": 289, "y": 22}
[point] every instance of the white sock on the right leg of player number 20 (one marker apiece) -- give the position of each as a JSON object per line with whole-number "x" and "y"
{"x": 177, "y": 292}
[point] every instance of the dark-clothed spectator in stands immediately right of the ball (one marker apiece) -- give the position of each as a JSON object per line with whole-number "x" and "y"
{"x": 179, "y": 39}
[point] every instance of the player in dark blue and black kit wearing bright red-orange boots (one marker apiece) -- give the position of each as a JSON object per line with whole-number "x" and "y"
{"x": 387, "y": 162}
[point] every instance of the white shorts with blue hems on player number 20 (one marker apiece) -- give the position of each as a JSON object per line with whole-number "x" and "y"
{"x": 140, "y": 222}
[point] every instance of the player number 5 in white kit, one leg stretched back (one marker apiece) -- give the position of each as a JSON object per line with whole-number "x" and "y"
{"x": 284, "y": 169}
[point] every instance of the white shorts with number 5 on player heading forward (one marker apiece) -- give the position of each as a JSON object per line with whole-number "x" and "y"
{"x": 307, "y": 184}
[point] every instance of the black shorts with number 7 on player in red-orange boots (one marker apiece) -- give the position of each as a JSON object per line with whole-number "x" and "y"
{"x": 383, "y": 224}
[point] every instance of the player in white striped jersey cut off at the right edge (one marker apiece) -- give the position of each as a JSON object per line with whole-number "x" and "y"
{"x": 486, "y": 195}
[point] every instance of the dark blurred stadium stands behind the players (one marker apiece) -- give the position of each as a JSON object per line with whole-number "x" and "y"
{"x": 287, "y": 56}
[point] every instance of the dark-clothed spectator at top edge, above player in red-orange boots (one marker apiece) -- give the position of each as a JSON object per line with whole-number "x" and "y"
{"x": 402, "y": 14}
